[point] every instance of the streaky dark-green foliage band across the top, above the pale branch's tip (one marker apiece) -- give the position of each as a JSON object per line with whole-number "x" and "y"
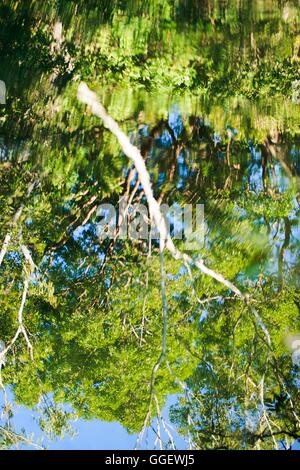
{"x": 118, "y": 44}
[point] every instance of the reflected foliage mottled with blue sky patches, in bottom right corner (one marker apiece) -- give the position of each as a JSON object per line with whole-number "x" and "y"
{"x": 223, "y": 407}
